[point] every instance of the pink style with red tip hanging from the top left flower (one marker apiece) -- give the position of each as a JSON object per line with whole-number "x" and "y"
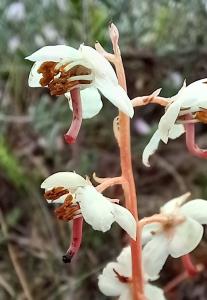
{"x": 71, "y": 135}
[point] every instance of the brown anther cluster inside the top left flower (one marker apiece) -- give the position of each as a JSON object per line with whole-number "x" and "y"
{"x": 57, "y": 80}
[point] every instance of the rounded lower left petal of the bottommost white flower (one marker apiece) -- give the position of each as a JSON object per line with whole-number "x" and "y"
{"x": 108, "y": 282}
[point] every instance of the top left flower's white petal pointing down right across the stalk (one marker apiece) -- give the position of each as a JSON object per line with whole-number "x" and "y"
{"x": 116, "y": 95}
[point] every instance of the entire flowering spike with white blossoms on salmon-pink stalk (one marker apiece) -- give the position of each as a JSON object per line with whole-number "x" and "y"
{"x": 84, "y": 75}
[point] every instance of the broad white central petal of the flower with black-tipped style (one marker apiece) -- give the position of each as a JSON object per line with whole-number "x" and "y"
{"x": 95, "y": 208}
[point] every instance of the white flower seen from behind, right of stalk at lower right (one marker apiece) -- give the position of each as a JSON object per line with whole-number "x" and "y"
{"x": 178, "y": 235}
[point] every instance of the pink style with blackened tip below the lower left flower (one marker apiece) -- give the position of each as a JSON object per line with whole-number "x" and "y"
{"x": 75, "y": 241}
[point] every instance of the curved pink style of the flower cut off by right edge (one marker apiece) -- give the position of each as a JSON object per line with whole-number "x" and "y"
{"x": 190, "y": 140}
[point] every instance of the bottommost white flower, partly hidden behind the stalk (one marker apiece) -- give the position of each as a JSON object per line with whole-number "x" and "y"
{"x": 116, "y": 280}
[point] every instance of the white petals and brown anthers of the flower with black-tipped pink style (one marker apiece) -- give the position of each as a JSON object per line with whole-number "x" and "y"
{"x": 79, "y": 197}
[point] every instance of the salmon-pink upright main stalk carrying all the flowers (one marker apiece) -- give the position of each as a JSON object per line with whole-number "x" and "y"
{"x": 127, "y": 174}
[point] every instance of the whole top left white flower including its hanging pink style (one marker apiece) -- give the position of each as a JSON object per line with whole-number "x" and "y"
{"x": 81, "y": 75}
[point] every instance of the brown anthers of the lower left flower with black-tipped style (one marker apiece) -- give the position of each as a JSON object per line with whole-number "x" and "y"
{"x": 70, "y": 209}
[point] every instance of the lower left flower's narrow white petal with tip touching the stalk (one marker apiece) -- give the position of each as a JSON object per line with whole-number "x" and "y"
{"x": 125, "y": 219}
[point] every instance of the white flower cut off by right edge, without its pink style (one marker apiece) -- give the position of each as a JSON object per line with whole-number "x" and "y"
{"x": 191, "y": 102}
